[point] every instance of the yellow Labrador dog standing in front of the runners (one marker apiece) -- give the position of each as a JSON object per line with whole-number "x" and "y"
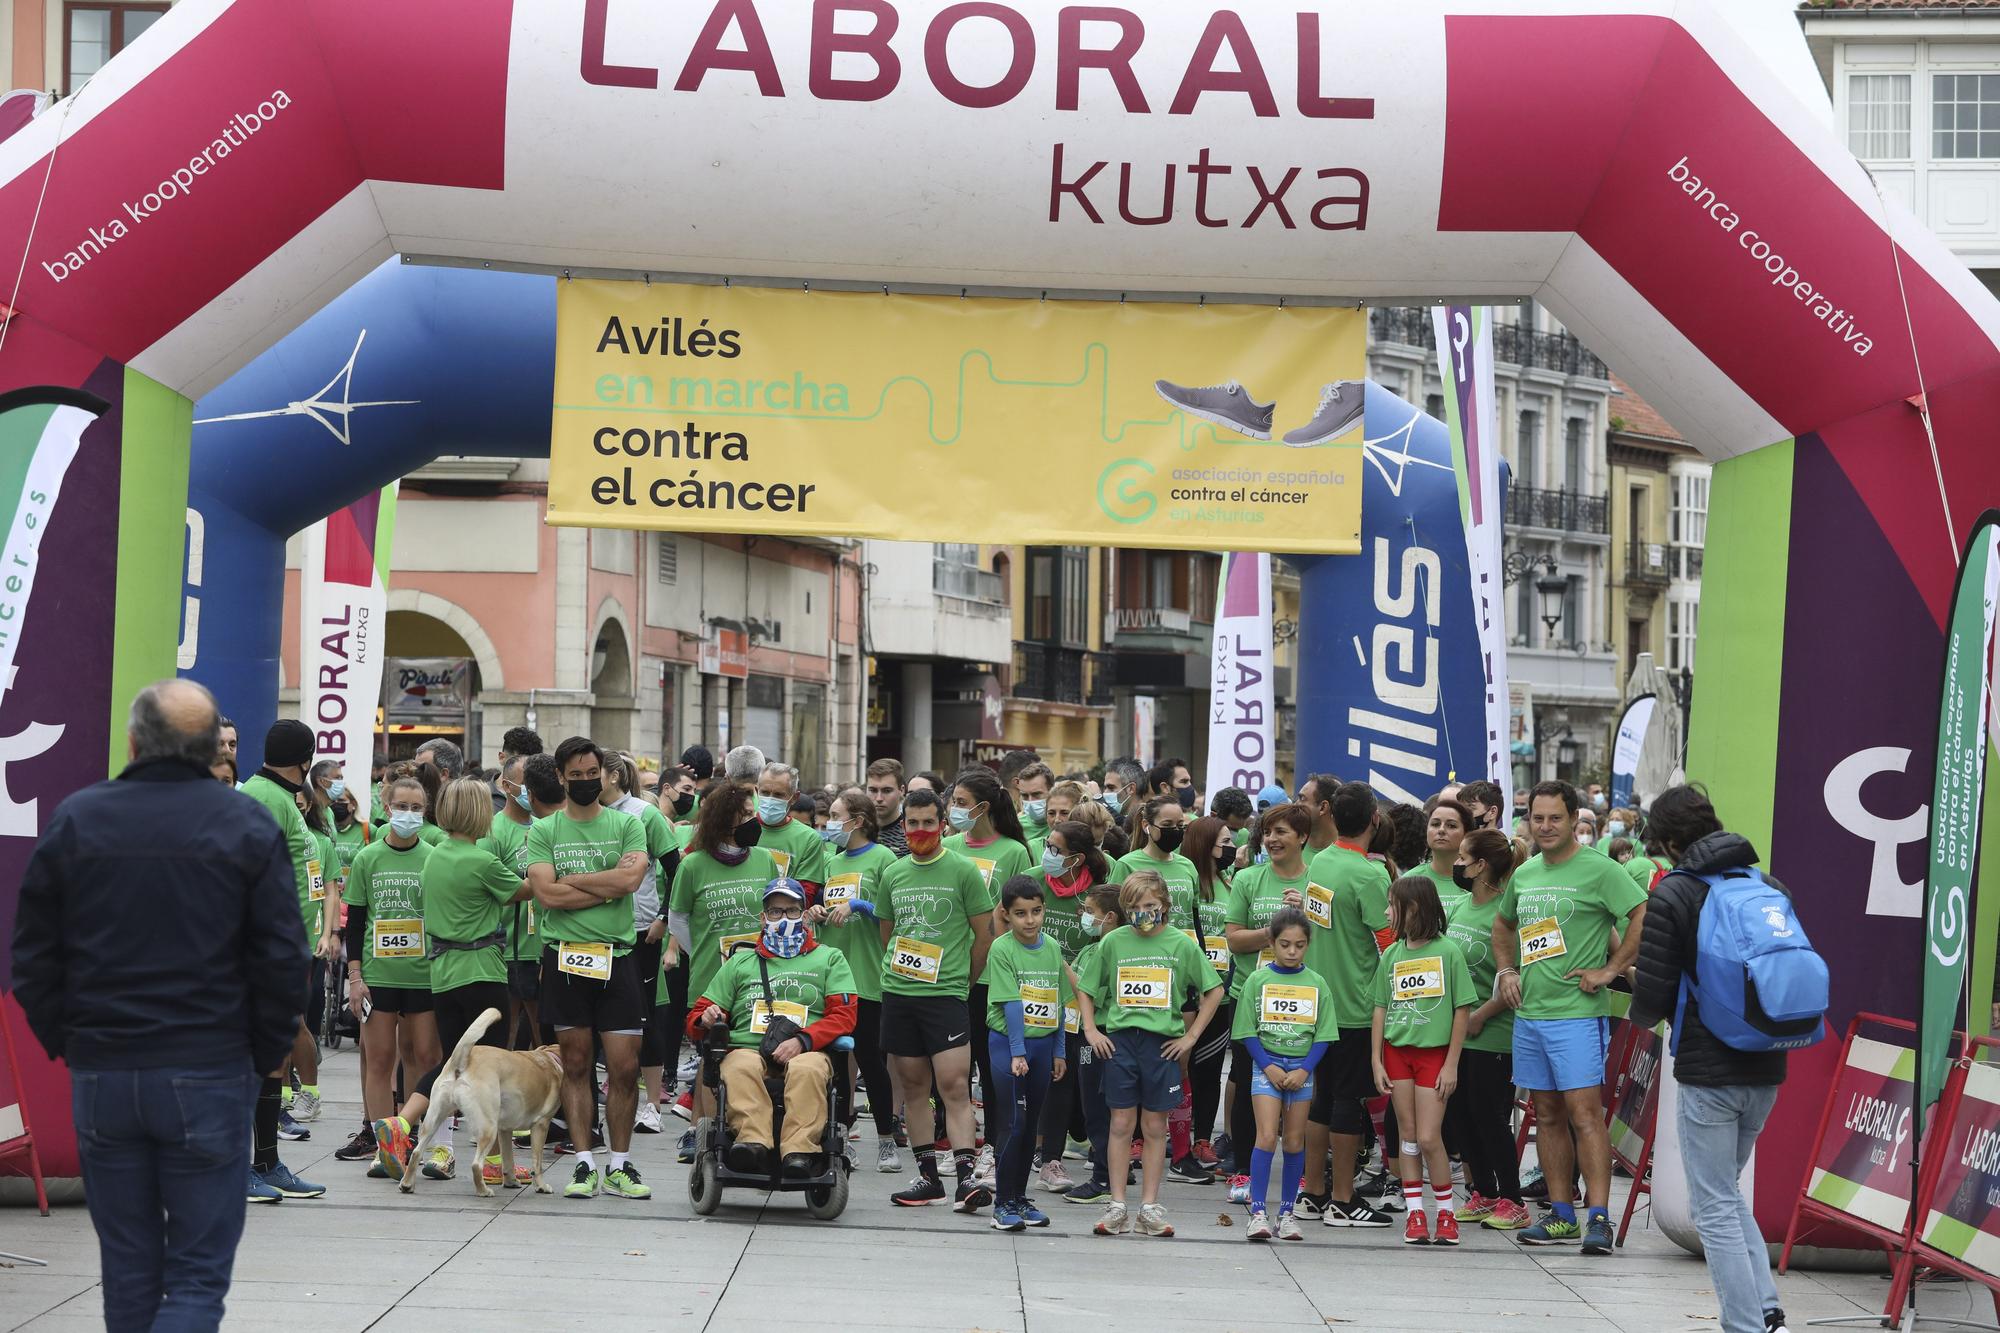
{"x": 495, "y": 1092}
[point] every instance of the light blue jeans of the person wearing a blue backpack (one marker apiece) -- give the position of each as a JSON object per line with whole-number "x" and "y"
{"x": 1719, "y": 1126}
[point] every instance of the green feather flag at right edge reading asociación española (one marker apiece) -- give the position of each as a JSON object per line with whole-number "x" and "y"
{"x": 1955, "y": 804}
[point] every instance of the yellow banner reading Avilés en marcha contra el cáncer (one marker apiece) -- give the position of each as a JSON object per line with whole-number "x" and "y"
{"x": 755, "y": 409}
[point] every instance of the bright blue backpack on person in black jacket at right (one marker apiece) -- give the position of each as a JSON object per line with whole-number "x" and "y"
{"x": 1757, "y": 978}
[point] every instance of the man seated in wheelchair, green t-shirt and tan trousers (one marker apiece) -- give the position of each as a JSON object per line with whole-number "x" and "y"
{"x": 785, "y": 1004}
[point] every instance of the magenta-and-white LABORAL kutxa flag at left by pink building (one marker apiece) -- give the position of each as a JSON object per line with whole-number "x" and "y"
{"x": 343, "y": 607}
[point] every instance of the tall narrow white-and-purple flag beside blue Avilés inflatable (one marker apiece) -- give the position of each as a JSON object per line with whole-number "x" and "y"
{"x": 1473, "y": 417}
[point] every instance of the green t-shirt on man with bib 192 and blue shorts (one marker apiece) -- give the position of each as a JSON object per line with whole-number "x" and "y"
{"x": 1565, "y": 918}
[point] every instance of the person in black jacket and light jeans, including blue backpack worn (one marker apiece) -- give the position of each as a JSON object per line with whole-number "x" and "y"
{"x": 1727, "y": 962}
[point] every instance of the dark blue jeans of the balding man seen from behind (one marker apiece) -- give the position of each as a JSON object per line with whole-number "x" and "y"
{"x": 163, "y": 1158}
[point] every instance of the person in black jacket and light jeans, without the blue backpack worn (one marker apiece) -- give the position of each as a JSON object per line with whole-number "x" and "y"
{"x": 1725, "y": 1094}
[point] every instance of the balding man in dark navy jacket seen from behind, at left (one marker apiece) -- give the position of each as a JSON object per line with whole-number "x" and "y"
{"x": 157, "y": 950}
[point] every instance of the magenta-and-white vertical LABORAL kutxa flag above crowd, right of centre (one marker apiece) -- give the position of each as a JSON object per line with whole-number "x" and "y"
{"x": 1241, "y": 726}
